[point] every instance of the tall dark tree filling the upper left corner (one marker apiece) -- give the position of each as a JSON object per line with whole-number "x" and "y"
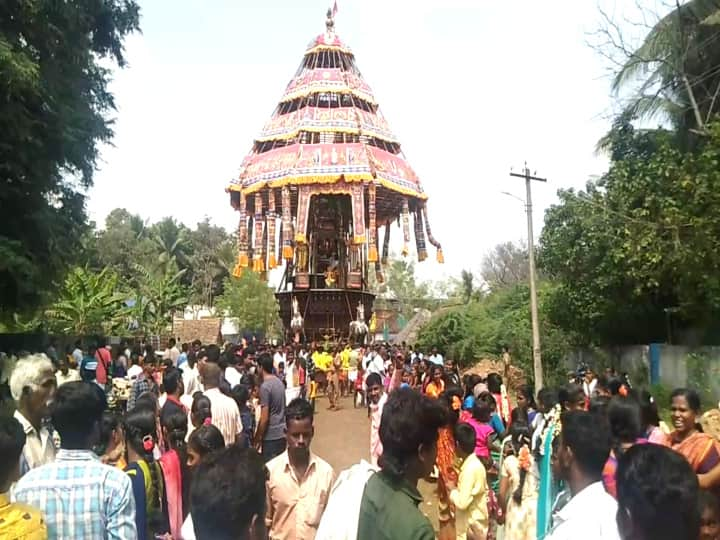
{"x": 54, "y": 74}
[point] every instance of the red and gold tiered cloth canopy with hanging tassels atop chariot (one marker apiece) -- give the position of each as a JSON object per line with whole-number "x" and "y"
{"x": 327, "y": 135}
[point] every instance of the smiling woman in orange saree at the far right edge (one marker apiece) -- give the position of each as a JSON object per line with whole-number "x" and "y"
{"x": 700, "y": 449}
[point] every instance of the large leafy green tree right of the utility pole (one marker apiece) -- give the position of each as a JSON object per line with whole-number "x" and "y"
{"x": 642, "y": 239}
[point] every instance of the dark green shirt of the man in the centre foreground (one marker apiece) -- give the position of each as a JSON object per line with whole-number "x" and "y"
{"x": 389, "y": 511}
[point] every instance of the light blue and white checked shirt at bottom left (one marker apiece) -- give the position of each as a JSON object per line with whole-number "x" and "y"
{"x": 81, "y": 498}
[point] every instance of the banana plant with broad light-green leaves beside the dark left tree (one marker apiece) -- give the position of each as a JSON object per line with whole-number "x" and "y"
{"x": 87, "y": 303}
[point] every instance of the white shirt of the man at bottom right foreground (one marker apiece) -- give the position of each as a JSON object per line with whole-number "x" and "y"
{"x": 589, "y": 514}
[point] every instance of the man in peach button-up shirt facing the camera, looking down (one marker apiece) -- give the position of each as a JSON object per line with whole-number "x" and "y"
{"x": 299, "y": 482}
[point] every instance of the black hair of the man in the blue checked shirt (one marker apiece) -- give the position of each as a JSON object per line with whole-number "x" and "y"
{"x": 76, "y": 412}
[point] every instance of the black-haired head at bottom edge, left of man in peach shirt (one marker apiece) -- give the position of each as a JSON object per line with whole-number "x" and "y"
{"x": 228, "y": 492}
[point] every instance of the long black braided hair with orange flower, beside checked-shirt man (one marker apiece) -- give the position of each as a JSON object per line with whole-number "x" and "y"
{"x": 140, "y": 427}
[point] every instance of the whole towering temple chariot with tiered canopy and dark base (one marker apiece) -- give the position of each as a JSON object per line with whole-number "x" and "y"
{"x": 320, "y": 191}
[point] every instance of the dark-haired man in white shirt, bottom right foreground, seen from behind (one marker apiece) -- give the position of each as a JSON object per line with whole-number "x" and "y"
{"x": 584, "y": 449}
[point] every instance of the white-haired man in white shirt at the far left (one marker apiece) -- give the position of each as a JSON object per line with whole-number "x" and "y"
{"x": 33, "y": 385}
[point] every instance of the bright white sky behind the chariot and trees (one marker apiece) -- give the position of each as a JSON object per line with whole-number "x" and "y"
{"x": 471, "y": 88}
